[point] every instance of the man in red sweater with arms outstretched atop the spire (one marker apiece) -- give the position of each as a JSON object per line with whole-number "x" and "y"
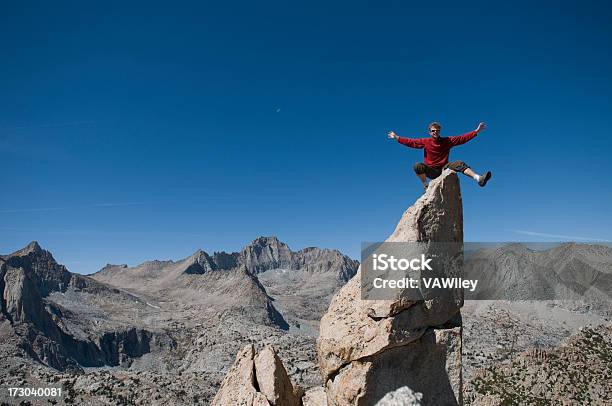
{"x": 437, "y": 149}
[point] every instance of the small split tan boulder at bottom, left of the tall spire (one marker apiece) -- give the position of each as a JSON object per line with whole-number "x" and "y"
{"x": 257, "y": 379}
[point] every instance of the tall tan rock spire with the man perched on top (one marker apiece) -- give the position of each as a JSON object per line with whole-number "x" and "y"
{"x": 368, "y": 348}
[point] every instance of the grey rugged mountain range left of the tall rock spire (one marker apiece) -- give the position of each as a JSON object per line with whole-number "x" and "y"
{"x": 163, "y": 316}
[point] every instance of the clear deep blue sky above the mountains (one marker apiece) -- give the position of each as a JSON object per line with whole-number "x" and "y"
{"x": 147, "y": 131}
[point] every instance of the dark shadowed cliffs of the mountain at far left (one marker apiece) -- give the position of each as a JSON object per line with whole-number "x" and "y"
{"x": 28, "y": 277}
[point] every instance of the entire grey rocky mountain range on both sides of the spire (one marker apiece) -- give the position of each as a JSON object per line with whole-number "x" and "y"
{"x": 172, "y": 328}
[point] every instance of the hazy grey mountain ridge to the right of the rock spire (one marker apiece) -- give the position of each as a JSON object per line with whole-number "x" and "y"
{"x": 568, "y": 272}
